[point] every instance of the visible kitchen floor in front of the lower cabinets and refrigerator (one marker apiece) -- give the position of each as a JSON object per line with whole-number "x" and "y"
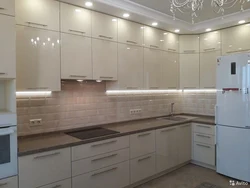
{"x": 189, "y": 176}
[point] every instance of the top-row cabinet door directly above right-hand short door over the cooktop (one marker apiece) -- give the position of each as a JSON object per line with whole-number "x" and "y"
{"x": 104, "y": 26}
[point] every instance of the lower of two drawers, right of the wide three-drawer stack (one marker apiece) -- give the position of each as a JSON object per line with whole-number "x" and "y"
{"x": 142, "y": 167}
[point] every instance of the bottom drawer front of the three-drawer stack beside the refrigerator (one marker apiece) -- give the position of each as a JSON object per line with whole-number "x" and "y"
{"x": 204, "y": 153}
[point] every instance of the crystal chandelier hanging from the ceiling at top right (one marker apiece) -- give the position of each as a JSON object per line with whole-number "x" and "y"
{"x": 193, "y": 6}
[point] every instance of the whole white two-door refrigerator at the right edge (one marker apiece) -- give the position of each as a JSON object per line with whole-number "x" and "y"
{"x": 232, "y": 113}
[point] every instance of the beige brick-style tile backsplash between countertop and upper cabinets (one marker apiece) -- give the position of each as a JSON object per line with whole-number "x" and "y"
{"x": 86, "y": 104}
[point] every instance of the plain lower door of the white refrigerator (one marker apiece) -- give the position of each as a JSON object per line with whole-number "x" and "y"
{"x": 233, "y": 152}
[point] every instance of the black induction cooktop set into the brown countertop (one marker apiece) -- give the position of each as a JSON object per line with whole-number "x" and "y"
{"x": 91, "y": 133}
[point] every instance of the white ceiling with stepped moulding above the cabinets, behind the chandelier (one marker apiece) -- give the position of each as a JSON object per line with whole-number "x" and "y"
{"x": 148, "y": 11}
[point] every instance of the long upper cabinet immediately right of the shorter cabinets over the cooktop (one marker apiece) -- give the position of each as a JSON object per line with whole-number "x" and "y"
{"x": 130, "y": 68}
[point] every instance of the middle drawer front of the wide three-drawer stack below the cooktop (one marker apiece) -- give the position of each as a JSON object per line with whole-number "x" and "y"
{"x": 100, "y": 161}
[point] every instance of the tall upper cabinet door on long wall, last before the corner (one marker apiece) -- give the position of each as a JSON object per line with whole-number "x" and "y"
{"x": 170, "y": 70}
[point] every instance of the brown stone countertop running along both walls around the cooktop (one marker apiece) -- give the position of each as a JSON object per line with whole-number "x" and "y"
{"x": 51, "y": 141}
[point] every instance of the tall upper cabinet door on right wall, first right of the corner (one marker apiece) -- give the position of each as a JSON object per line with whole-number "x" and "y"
{"x": 189, "y": 71}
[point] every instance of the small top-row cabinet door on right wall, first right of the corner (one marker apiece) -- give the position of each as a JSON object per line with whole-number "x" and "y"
{"x": 189, "y": 43}
